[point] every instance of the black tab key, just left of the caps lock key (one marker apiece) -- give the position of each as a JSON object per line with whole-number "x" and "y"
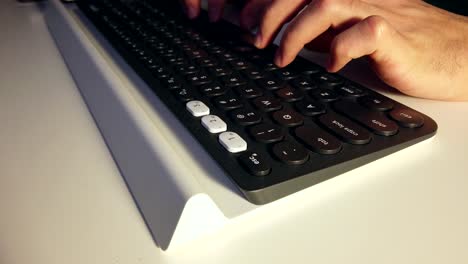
{"x": 318, "y": 140}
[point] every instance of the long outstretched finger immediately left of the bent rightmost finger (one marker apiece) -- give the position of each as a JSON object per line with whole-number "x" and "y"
{"x": 316, "y": 19}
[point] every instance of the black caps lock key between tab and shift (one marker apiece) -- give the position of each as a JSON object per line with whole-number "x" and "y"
{"x": 345, "y": 129}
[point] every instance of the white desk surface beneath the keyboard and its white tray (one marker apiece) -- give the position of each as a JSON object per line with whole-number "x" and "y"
{"x": 62, "y": 199}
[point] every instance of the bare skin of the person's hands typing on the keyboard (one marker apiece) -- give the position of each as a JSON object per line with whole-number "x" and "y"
{"x": 417, "y": 48}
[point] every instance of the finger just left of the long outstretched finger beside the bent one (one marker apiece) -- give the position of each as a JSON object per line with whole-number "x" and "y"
{"x": 276, "y": 14}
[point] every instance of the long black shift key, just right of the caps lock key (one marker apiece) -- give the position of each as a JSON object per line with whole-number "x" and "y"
{"x": 375, "y": 121}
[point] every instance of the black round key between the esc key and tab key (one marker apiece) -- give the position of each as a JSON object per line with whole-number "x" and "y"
{"x": 290, "y": 153}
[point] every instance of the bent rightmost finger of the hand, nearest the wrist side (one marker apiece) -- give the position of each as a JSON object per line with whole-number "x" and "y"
{"x": 370, "y": 37}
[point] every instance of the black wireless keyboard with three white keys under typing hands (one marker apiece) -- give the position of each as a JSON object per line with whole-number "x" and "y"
{"x": 274, "y": 131}
